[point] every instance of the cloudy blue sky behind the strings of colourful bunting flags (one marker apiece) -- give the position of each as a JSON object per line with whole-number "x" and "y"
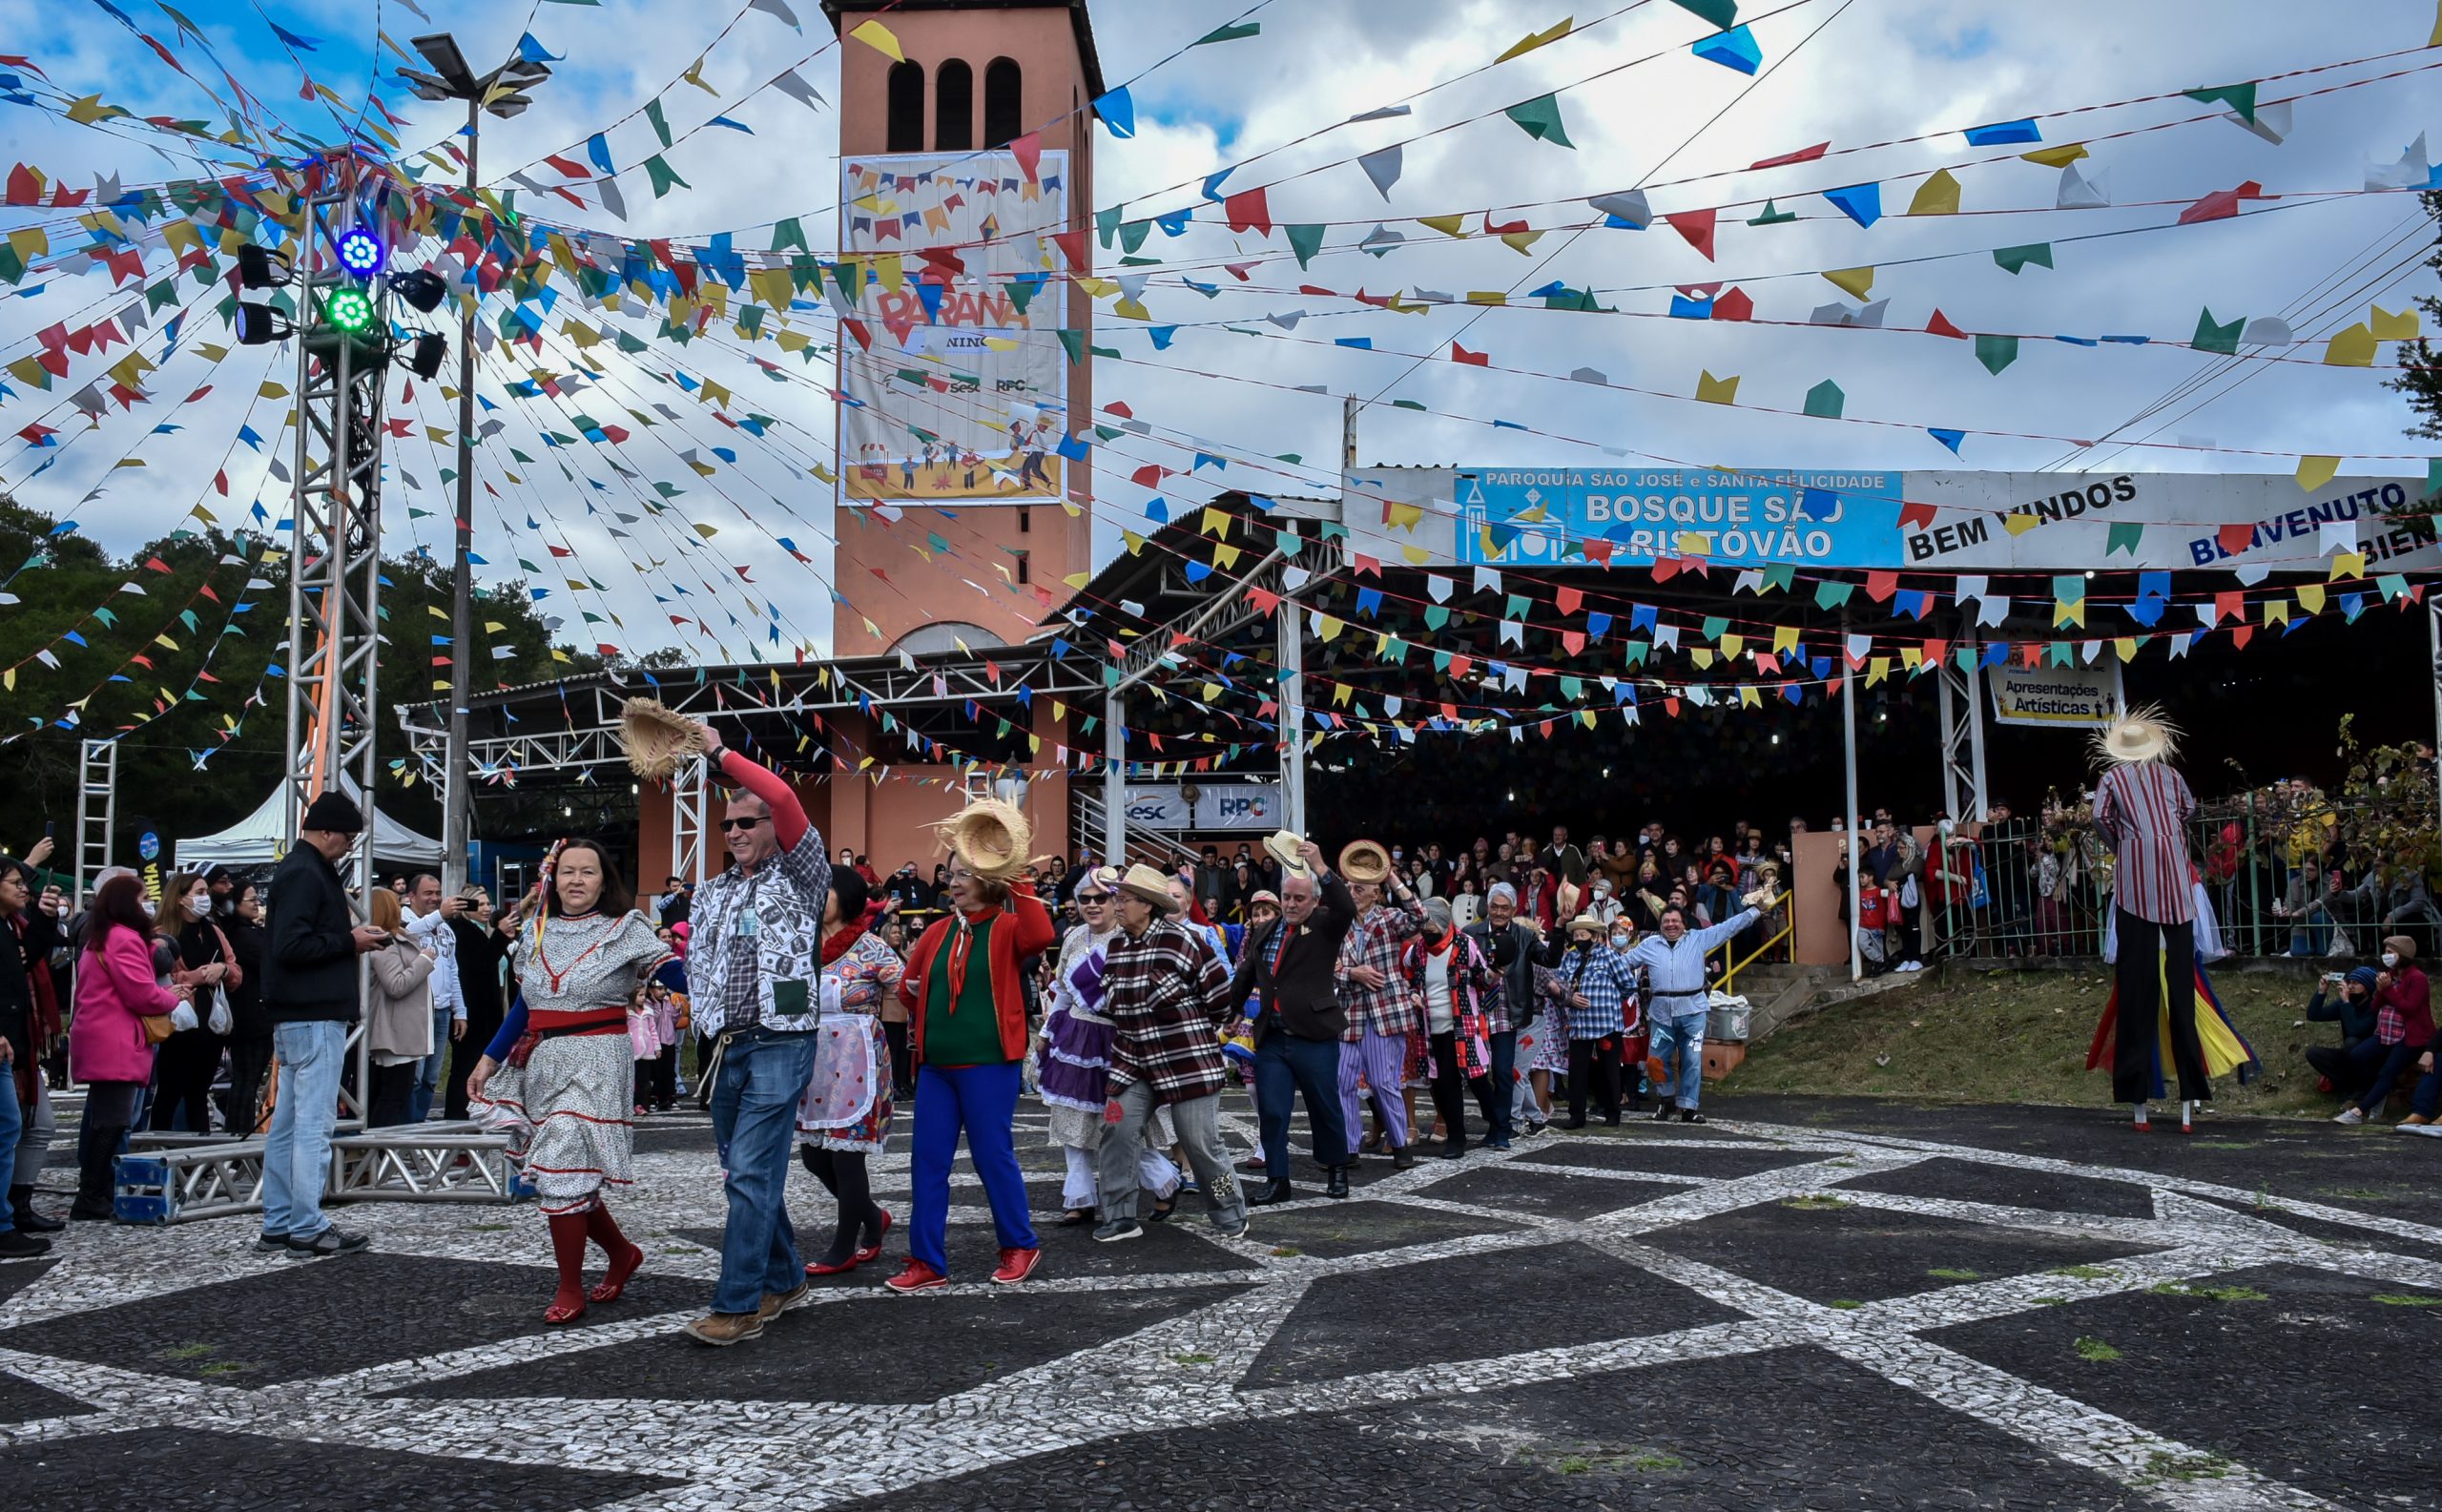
{"x": 1886, "y": 84}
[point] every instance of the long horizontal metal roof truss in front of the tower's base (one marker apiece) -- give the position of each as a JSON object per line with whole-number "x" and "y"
{"x": 585, "y": 712}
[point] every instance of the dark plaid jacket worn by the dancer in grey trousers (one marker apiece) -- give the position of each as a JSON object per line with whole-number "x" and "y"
{"x": 1168, "y": 998}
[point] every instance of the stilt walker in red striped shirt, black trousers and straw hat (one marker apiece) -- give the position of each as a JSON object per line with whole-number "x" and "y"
{"x": 2143, "y": 810}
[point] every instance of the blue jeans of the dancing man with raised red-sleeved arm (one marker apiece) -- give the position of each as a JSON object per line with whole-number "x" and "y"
{"x": 763, "y": 1076}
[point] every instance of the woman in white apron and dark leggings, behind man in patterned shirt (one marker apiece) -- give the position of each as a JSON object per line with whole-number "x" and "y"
{"x": 849, "y": 1098}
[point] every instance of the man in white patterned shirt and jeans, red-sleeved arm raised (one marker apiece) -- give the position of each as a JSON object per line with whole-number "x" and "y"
{"x": 756, "y": 966}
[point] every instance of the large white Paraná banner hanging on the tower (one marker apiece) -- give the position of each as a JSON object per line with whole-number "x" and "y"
{"x": 951, "y": 309}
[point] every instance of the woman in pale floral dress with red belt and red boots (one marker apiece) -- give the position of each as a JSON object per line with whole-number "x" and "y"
{"x": 560, "y": 1076}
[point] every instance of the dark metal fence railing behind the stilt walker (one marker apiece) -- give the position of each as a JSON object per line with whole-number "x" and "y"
{"x": 2306, "y": 878}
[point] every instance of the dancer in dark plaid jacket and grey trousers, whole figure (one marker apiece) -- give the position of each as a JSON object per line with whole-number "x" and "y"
{"x": 1168, "y": 1003}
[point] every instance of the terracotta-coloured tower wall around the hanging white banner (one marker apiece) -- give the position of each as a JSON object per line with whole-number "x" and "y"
{"x": 932, "y": 587}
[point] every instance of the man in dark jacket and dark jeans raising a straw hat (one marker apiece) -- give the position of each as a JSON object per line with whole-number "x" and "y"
{"x": 1298, "y": 1032}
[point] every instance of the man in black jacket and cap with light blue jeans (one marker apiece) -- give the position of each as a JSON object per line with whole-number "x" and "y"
{"x": 311, "y": 998}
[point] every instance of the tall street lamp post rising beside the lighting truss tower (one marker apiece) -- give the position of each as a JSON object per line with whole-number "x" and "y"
{"x": 451, "y": 79}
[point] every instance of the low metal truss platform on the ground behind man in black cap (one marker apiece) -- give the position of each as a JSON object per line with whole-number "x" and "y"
{"x": 172, "y": 1179}
